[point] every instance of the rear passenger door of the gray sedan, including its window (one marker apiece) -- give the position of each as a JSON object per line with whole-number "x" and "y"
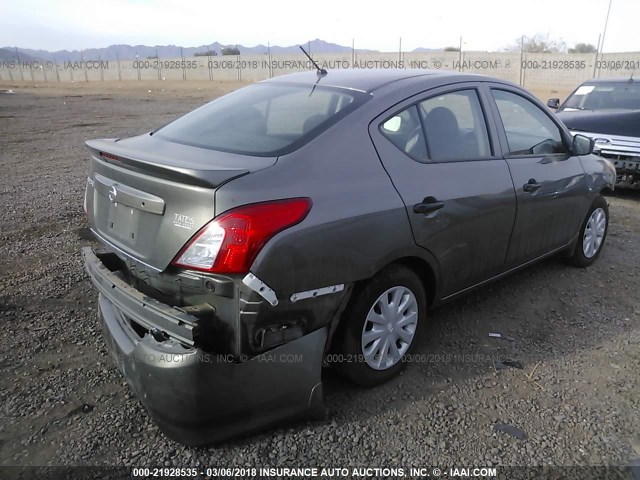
{"x": 438, "y": 150}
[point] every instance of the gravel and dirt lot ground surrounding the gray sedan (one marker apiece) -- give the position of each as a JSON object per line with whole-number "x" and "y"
{"x": 575, "y": 332}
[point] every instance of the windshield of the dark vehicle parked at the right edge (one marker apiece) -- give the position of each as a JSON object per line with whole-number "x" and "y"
{"x": 603, "y": 96}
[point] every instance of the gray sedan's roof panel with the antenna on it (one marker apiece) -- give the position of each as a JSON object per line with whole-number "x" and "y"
{"x": 366, "y": 80}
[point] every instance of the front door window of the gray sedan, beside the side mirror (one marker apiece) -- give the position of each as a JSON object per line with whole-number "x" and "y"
{"x": 528, "y": 128}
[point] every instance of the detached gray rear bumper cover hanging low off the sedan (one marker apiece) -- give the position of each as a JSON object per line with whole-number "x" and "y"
{"x": 197, "y": 397}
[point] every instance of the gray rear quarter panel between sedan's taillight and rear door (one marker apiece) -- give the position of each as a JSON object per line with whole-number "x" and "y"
{"x": 357, "y": 223}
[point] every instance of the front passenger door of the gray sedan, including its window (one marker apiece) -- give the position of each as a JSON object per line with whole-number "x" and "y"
{"x": 549, "y": 181}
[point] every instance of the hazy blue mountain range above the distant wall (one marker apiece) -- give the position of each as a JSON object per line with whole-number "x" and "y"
{"x": 129, "y": 52}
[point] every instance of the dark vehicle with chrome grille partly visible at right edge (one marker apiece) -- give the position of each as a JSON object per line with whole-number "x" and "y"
{"x": 608, "y": 111}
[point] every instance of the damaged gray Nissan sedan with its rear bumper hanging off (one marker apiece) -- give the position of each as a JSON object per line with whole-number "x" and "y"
{"x": 321, "y": 216}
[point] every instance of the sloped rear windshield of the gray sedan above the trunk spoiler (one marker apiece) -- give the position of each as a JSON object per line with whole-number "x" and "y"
{"x": 264, "y": 119}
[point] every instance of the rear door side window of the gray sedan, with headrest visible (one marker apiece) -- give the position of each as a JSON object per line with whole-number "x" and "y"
{"x": 449, "y": 127}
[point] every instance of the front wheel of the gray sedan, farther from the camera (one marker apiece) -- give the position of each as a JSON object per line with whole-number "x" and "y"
{"x": 593, "y": 234}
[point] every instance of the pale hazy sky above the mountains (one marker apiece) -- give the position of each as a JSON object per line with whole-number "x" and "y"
{"x": 483, "y": 24}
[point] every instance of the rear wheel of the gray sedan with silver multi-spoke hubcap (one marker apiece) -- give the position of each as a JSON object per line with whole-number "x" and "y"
{"x": 380, "y": 326}
